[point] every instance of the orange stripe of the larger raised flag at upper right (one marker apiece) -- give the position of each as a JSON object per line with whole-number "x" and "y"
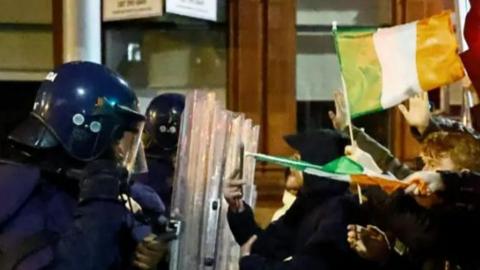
{"x": 437, "y": 60}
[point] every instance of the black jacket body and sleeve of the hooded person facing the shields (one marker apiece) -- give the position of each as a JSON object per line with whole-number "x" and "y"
{"x": 312, "y": 232}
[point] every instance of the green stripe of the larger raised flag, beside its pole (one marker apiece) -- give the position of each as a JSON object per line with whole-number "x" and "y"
{"x": 361, "y": 70}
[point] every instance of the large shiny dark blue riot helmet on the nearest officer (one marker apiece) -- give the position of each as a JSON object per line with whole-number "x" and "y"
{"x": 83, "y": 107}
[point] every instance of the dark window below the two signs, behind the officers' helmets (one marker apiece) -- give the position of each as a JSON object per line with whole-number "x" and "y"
{"x": 168, "y": 54}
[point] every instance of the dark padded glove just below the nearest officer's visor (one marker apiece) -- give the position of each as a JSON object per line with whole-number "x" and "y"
{"x": 103, "y": 179}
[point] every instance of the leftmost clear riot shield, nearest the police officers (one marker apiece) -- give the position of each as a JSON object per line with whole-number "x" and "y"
{"x": 190, "y": 180}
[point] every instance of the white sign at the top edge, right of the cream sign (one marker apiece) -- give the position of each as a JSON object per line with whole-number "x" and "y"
{"x": 201, "y": 9}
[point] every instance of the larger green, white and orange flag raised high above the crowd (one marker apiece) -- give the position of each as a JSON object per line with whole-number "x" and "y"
{"x": 383, "y": 67}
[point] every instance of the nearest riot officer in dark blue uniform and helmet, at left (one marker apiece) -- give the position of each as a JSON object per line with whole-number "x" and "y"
{"x": 62, "y": 210}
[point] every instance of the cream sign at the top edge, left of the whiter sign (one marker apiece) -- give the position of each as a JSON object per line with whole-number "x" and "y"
{"x": 114, "y": 10}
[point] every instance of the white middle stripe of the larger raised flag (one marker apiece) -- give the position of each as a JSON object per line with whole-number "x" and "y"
{"x": 396, "y": 51}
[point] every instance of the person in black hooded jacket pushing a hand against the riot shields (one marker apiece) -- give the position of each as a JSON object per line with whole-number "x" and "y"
{"x": 311, "y": 234}
